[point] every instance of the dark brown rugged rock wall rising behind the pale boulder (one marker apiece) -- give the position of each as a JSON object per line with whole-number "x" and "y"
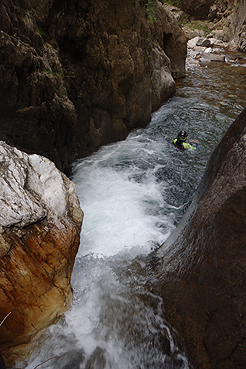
{"x": 78, "y": 74}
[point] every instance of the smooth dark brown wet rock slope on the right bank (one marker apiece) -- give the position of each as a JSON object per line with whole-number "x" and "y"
{"x": 200, "y": 270}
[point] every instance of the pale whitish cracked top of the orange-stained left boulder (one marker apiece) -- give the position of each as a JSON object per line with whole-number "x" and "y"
{"x": 29, "y": 186}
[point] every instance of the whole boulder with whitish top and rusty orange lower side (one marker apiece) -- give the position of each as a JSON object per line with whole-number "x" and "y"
{"x": 40, "y": 223}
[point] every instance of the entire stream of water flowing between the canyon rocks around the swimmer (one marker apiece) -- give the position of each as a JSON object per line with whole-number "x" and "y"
{"x": 133, "y": 194}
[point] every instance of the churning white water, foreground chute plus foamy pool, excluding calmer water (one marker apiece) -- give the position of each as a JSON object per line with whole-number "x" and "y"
{"x": 112, "y": 322}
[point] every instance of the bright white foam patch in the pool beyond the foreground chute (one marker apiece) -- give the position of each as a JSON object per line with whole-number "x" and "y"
{"x": 121, "y": 199}
